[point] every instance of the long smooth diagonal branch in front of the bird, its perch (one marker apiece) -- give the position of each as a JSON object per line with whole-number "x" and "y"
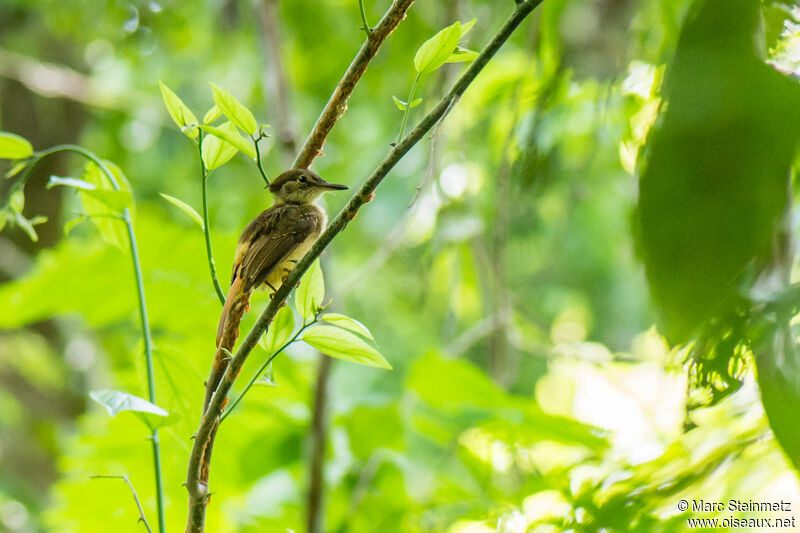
{"x": 198, "y": 492}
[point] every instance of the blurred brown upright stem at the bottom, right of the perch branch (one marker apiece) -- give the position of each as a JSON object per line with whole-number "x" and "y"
{"x": 318, "y": 433}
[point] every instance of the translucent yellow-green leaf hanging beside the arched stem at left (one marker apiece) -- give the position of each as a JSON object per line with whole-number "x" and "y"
{"x": 105, "y": 204}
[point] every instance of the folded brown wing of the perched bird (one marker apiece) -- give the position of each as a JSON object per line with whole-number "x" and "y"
{"x": 273, "y": 245}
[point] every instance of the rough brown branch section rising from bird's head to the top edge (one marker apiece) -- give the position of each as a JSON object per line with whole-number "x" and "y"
{"x": 337, "y": 105}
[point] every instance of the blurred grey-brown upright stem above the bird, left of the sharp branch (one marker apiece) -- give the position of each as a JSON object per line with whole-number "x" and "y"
{"x": 280, "y": 97}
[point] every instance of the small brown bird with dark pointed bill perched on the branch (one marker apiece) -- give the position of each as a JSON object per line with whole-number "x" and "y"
{"x": 276, "y": 239}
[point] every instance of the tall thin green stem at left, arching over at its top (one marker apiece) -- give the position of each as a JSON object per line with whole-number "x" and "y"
{"x": 146, "y": 336}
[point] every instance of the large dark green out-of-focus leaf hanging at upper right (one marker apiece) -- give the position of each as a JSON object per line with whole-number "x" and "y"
{"x": 714, "y": 178}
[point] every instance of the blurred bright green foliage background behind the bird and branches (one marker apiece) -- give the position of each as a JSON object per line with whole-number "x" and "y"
{"x": 496, "y": 268}
